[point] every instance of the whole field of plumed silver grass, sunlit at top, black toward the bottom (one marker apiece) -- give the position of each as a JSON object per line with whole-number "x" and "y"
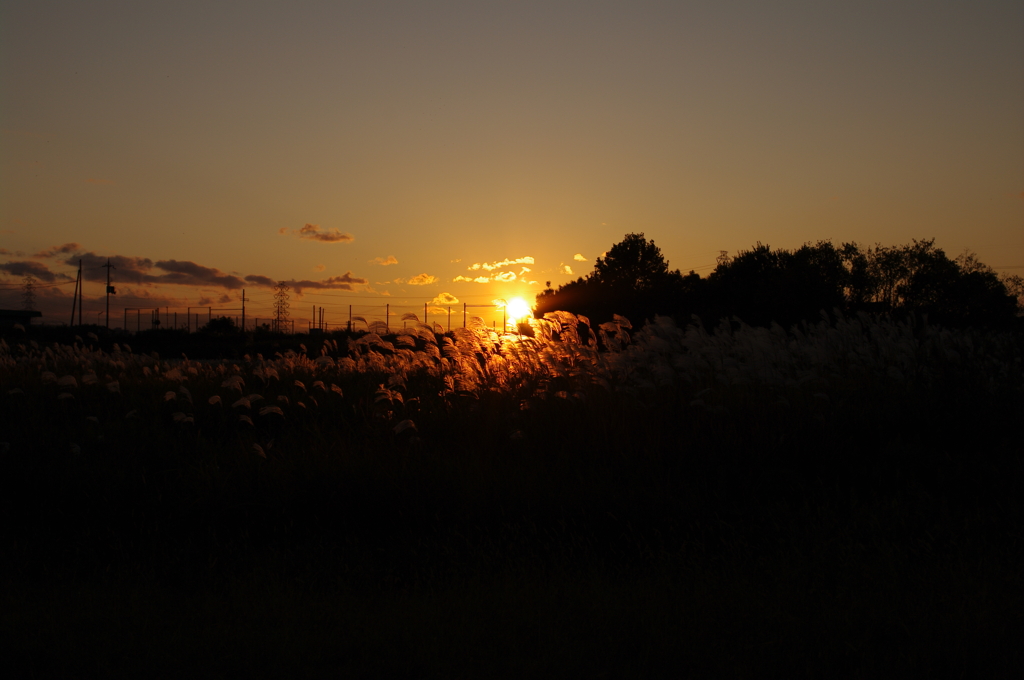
{"x": 835, "y": 500}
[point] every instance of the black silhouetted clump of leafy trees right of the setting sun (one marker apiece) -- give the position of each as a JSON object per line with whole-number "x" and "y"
{"x": 761, "y": 286}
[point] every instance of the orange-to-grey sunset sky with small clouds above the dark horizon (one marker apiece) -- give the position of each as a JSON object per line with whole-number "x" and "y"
{"x": 208, "y": 145}
